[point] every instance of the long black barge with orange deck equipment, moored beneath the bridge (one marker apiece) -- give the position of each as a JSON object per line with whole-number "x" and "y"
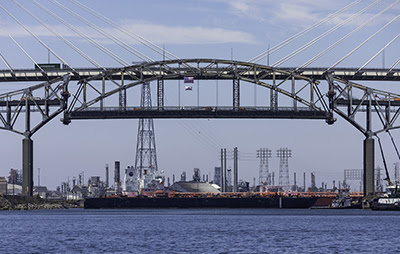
{"x": 160, "y": 199}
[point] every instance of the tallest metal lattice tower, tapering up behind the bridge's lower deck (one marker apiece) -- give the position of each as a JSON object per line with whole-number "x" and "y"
{"x": 146, "y": 156}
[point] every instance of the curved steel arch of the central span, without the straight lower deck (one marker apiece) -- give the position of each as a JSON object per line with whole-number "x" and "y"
{"x": 300, "y": 89}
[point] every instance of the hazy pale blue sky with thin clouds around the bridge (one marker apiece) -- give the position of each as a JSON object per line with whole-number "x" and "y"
{"x": 218, "y": 29}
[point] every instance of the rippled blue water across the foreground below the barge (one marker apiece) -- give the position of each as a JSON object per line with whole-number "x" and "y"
{"x": 199, "y": 231}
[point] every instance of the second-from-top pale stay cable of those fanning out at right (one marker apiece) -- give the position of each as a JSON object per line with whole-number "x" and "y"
{"x": 312, "y": 42}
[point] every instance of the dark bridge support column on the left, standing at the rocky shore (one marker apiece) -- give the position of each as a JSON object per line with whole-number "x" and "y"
{"x": 27, "y": 166}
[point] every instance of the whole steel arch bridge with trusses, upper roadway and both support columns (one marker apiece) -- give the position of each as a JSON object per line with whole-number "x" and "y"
{"x": 309, "y": 94}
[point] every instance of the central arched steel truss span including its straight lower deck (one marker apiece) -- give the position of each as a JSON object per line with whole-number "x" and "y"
{"x": 306, "y": 93}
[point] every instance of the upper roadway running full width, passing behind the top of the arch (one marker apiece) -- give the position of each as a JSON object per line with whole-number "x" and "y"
{"x": 135, "y": 73}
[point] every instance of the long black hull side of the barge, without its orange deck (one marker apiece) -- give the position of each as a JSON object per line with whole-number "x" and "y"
{"x": 200, "y": 202}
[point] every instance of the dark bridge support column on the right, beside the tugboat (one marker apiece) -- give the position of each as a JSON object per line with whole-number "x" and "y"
{"x": 369, "y": 166}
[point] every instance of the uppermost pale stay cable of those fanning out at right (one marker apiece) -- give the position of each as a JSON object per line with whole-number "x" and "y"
{"x": 301, "y": 33}
